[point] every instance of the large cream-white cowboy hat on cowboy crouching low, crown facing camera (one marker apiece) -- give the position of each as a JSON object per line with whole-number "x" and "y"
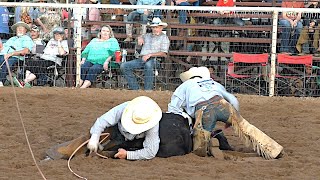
{"x": 140, "y": 115}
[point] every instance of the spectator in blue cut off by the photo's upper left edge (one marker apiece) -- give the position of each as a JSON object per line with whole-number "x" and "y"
{"x": 4, "y": 20}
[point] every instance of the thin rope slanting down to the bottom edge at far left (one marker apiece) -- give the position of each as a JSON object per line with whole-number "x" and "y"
{"x": 21, "y": 120}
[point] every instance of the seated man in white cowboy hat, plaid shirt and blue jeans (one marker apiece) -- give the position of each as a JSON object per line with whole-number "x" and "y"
{"x": 155, "y": 44}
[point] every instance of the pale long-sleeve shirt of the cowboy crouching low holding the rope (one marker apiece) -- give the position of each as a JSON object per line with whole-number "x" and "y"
{"x": 113, "y": 117}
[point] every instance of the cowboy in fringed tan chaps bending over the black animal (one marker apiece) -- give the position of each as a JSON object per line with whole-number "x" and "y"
{"x": 208, "y": 102}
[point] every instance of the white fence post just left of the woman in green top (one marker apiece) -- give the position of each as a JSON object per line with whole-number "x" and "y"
{"x": 77, "y": 26}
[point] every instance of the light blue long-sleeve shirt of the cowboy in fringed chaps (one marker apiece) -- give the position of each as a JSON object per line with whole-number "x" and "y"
{"x": 194, "y": 91}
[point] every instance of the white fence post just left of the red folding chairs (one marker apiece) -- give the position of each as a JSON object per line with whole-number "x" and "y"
{"x": 273, "y": 52}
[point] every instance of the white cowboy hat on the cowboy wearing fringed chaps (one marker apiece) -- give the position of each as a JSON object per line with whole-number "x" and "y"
{"x": 202, "y": 72}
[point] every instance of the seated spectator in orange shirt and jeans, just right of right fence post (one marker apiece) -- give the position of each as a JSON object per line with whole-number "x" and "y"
{"x": 291, "y": 25}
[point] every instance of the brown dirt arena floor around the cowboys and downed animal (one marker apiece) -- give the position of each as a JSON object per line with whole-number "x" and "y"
{"x": 56, "y": 115}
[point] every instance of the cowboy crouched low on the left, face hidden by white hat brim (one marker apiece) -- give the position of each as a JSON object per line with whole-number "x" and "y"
{"x": 135, "y": 119}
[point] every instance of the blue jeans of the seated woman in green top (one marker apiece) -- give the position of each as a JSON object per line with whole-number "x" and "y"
{"x": 90, "y": 71}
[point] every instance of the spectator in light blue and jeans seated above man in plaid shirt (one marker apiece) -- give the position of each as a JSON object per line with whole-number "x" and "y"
{"x": 143, "y": 14}
